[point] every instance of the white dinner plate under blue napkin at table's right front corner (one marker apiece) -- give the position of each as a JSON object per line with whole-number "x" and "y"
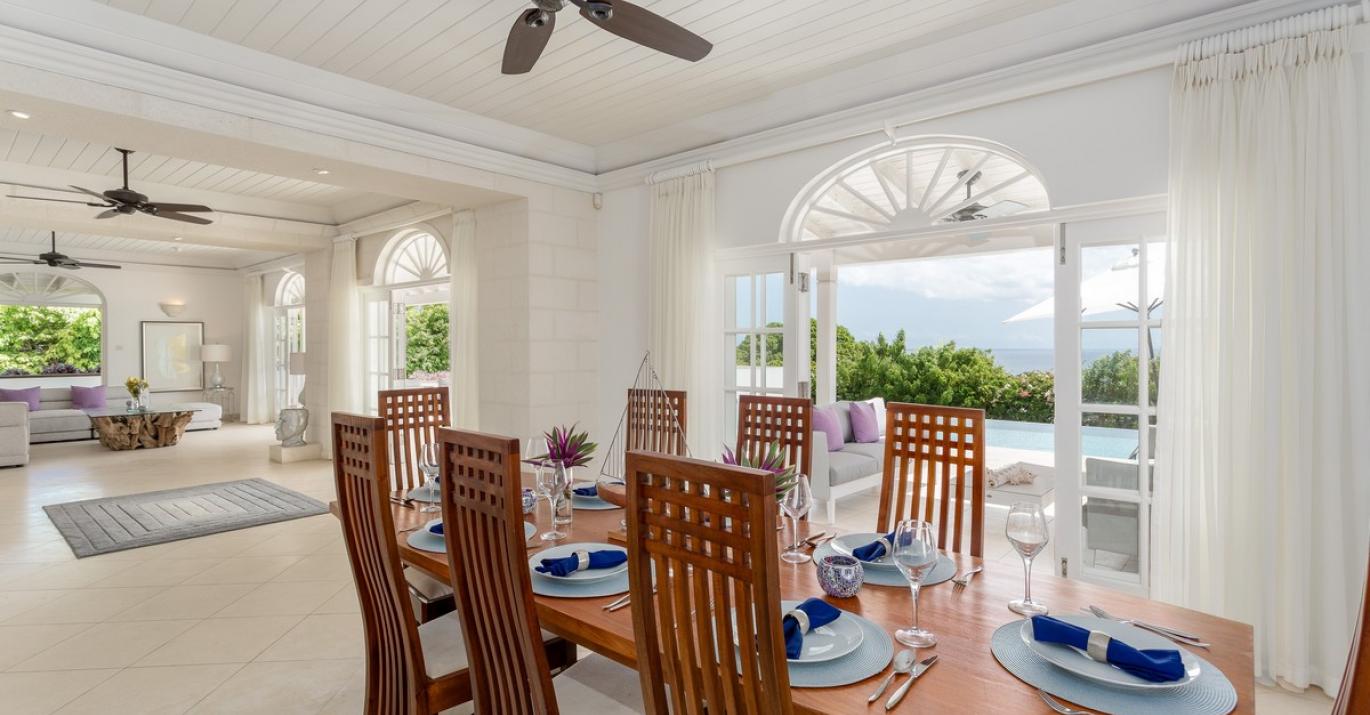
{"x": 1078, "y": 662}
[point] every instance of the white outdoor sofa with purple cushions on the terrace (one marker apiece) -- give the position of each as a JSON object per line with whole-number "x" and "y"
{"x": 853, "y": 469}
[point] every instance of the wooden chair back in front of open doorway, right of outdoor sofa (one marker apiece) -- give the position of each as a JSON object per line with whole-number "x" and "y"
{"x": 931, "y": 455}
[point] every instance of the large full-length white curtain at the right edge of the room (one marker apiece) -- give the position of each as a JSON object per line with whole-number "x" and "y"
{"x": 1262, "y": 505}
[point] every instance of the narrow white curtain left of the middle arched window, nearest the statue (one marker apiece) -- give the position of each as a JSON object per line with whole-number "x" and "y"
{"x": 346, "y": 377}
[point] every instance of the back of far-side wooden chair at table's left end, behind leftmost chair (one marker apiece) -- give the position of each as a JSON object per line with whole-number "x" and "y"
{"x": 413, "y": 417}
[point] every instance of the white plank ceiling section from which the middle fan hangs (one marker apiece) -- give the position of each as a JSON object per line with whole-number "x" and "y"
{"x": 66, "y": 154}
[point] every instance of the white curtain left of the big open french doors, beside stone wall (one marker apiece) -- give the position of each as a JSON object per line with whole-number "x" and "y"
{"x": 684, "y": 310}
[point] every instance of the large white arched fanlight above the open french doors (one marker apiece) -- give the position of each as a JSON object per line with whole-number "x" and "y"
{"x": 916, "y": 184}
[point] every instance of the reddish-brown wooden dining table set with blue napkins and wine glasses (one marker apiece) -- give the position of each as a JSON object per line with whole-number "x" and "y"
{"x": 967, "y": 679}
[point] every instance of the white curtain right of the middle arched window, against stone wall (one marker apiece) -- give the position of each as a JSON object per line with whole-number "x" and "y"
{"x": 465, "y": 349}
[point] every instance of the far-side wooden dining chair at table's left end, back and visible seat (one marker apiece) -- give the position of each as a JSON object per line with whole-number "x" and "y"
{"x": 412, "y": 418}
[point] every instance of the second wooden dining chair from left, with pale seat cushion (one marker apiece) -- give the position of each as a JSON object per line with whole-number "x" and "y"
{"x": 484, "y": 525}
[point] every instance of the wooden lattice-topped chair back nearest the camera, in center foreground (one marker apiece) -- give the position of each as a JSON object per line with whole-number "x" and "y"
{"x": 698, "y": 527}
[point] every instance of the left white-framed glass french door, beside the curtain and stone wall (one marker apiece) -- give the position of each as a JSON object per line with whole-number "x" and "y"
{"x": 765, "y": 332}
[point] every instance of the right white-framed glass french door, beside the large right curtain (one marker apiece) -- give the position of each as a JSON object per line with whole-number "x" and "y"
{"x": 1110, "y": 306}
